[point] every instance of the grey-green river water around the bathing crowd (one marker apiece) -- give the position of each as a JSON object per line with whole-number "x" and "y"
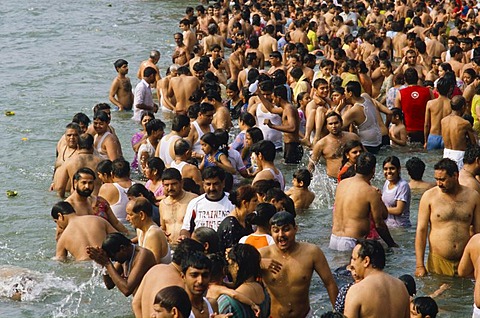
{"x": 57, "y": 59}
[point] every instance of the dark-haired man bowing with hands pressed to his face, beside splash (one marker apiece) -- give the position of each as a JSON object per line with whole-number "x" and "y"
{"x": 131, "y": 262}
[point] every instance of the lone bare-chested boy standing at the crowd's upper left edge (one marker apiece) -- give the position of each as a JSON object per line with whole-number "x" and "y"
{"x": 121, "y": 89}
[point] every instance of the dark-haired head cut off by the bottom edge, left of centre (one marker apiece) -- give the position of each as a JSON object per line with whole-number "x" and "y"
{"x": 172, "y": 302}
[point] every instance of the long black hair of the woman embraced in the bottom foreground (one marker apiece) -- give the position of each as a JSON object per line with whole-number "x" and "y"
{"x": 247, "y": 258}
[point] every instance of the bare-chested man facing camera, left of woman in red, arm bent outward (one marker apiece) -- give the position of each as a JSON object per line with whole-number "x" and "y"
{"x": 330, "y": 146}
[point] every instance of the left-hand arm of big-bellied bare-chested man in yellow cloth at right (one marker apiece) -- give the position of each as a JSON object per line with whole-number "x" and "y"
{"x": 421, "y": 234}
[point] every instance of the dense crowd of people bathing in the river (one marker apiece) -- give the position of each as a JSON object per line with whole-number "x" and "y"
{"x": 215, "y": 228}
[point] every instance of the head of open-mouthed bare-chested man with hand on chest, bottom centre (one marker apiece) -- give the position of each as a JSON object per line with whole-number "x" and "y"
{"x": 283, "y": 229}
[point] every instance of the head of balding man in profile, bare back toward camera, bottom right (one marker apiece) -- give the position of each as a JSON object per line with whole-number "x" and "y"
{"x": 367, "y": 254}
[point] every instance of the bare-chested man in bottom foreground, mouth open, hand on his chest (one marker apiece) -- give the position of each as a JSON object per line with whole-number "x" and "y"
{"x": 293, "y": 264}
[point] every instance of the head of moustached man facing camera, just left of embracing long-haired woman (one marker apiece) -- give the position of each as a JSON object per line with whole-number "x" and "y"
{"x": 196, "y": 271}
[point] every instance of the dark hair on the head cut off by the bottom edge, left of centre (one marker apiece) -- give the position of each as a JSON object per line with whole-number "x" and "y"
{"x": 174, "y": 296}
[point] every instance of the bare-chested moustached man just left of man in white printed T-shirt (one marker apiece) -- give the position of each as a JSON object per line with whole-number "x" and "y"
{"x": 173, "y": 207}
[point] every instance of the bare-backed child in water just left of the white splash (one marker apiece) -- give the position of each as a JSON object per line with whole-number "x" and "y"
{"x": 299, "y": 193}
